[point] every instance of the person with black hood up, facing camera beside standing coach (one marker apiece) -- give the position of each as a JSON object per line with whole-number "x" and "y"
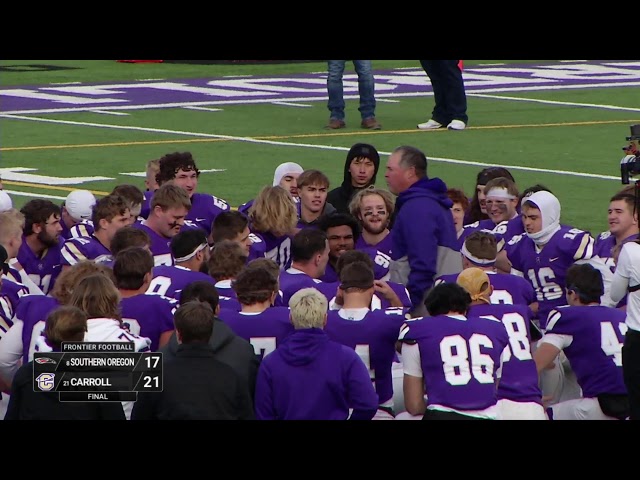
{"x": 360, "y": 170}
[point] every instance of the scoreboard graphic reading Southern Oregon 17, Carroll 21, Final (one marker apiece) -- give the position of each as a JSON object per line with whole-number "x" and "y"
{"x": 97, "y": 372}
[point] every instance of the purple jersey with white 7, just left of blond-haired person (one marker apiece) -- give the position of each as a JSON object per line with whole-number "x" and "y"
{"x": 263, "y": 330}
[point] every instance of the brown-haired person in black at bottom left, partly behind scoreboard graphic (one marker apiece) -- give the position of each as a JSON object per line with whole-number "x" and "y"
{"x": 64, "y": 324}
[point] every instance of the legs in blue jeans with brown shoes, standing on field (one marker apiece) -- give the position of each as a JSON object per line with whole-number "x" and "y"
{"x": 366, "y": 89}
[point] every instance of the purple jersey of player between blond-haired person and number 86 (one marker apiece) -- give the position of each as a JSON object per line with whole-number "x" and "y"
{"x": 373, "y": 336}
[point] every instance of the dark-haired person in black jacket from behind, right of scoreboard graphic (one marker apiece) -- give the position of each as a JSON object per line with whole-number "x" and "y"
{"x": 196, "y": 386}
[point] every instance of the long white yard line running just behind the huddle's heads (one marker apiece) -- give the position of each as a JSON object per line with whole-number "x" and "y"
{"x": 308, "y": 145}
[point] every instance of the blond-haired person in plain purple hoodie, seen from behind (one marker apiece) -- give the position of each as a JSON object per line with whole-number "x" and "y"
{"x": 309, "y": 376}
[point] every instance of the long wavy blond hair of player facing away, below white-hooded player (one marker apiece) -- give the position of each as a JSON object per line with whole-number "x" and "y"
{"x": 273, "y": 211}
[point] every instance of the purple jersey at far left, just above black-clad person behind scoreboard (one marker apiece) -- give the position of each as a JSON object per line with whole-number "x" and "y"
{"x": 33, "y": 311}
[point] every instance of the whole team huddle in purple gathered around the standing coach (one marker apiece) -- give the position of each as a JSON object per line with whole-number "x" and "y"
{"x": 307, "y": 302}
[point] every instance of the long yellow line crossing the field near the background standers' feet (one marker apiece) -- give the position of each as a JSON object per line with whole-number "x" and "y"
{"x": 306, "y": 135}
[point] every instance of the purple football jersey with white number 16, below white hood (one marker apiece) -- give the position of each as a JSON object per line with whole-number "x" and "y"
{"x": 546, "y": 269}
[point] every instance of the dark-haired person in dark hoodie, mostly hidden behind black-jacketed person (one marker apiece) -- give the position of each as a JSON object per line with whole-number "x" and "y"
{"x": 226, "y": 345}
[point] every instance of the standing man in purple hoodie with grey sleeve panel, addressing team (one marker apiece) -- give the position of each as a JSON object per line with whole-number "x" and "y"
{"x": 424, "y": 241}
